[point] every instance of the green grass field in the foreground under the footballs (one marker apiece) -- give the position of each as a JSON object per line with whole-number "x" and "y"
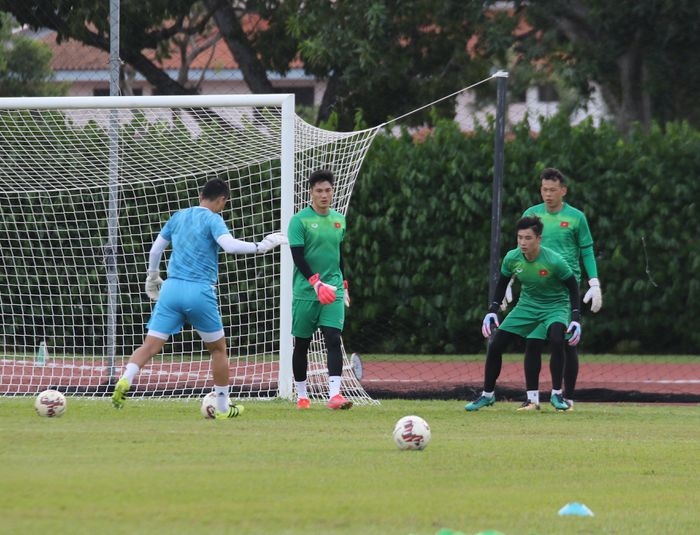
{"x": 158, "y": 467}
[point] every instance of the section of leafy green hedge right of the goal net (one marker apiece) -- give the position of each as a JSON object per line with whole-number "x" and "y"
{"x": 419, "y": 227}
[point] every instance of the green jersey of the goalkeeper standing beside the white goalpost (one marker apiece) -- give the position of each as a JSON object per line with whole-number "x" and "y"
{"x": 320, "y": 235}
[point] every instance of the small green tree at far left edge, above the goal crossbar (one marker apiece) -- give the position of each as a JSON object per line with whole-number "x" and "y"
{"x": 25, "y": 69}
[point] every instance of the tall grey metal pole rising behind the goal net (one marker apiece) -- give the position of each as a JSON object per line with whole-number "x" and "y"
{"x": 113, "y": 206}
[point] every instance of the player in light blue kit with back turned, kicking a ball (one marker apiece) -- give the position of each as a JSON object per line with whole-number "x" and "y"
{"x": 188, "y": 295}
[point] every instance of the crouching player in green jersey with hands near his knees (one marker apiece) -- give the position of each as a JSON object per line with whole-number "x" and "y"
{"x": 548, "y": 299}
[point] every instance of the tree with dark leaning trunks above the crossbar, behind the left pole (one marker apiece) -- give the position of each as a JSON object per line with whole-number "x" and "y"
{"x": 152, "y": 31}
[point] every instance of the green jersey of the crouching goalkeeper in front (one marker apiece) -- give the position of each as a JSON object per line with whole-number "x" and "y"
{"x": 541, "y": 279}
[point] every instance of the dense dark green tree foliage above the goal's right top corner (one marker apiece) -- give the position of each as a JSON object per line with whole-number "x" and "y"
{"x": 387, "y": 57}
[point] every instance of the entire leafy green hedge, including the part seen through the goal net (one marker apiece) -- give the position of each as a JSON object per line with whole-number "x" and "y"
{"x": 418, "y": 244}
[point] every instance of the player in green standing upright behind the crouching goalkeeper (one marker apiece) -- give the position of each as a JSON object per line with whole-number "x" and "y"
{"x": 565, "y": 231}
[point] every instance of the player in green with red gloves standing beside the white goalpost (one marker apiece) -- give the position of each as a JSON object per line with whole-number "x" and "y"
{"x": 320, "y": 291}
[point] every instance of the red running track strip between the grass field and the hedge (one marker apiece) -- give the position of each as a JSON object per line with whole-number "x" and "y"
{"x": 399, "y": 377}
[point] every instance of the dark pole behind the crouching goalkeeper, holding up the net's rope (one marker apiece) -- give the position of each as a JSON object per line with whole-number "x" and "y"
{"x": 498, "y": 164}
